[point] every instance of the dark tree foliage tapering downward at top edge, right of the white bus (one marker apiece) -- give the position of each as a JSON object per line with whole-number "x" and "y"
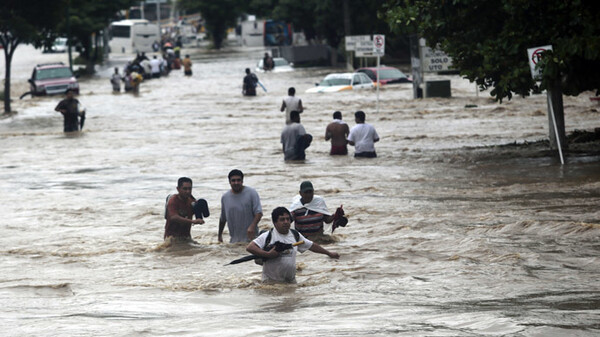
{"x": 218, "y": 16}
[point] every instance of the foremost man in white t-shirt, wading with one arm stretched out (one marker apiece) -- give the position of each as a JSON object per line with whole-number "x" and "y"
{"x": 280, "y": 266}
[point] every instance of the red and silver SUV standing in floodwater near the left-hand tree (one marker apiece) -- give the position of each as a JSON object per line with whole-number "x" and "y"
{"x": 52, "y": 79}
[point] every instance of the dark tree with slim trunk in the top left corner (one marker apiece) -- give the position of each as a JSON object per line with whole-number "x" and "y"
{"x": 24, "y": 22}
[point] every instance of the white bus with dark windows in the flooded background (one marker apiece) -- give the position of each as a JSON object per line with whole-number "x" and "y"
{"x": 132, "y": 36}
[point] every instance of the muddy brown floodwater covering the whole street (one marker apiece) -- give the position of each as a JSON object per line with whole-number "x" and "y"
{"x": 449, "y": 234}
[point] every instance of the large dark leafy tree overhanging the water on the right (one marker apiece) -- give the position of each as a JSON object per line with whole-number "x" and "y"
{"x": 488, "y": 40}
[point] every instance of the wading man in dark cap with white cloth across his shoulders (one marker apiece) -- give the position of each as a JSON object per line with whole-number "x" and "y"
{"x": 309, "y": 211}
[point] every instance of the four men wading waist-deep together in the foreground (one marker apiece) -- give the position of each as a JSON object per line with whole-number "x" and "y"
{"x": 241, "y": 211}
